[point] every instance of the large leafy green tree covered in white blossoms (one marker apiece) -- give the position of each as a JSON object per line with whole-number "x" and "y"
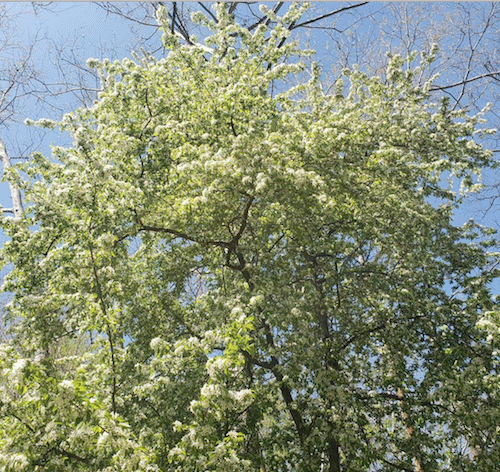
{"x": 229, "y": 273}
